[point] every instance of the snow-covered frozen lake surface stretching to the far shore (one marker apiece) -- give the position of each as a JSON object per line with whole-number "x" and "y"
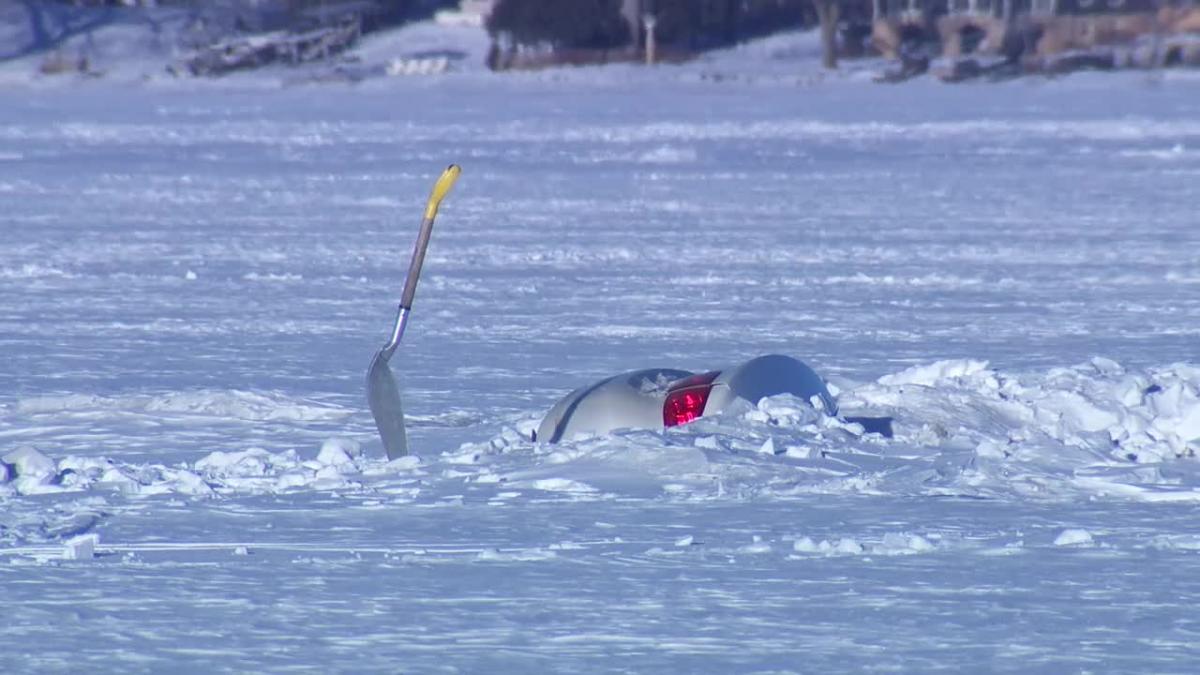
{"x": 195, "y": 277}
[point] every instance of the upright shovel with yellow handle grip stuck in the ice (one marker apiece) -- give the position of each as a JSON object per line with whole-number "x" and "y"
{"x": 383, "y": 395}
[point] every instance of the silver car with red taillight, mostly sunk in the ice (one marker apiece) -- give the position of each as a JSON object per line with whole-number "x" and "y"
{"x": 661, "y": 397}
